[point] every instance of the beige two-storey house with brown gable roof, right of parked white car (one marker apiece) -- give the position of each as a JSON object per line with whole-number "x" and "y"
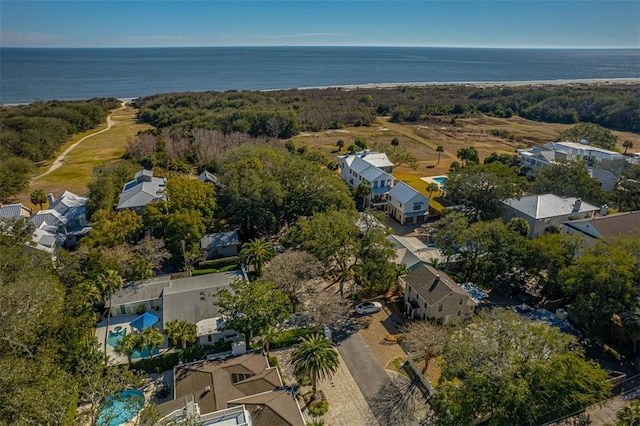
{"x": 432, "y": 294}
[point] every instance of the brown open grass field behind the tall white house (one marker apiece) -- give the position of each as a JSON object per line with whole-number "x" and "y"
{"x": 486, "y": 134}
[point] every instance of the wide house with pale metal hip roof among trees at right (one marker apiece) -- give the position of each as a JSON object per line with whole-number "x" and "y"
{"x": 546, "y": 212}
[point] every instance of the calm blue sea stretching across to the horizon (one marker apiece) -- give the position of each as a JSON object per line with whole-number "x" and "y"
{"x": 28, "y": 75}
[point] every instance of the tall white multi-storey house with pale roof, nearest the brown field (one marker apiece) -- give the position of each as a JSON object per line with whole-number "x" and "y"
{"x": 372, "y": 167}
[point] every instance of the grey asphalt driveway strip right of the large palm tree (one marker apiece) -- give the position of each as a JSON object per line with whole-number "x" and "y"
{"x": 363, "y": 365}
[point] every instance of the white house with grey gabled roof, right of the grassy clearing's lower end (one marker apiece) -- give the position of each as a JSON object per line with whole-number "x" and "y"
{"x": 141, "y": 191}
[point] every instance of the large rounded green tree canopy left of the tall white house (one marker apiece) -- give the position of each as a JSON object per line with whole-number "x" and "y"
{"x": 266, "y": 189}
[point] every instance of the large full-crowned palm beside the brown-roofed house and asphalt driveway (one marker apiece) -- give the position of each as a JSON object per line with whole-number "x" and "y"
{"x": 315, "y": 358}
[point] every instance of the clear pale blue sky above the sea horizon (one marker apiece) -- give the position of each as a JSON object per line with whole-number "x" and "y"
{"x": 476, "y": 23}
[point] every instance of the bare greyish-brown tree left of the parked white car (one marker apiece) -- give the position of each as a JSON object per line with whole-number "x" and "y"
{"x": 291, "y": 271}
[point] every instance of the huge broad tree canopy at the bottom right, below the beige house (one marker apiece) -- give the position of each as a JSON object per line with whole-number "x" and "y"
{"x": 509, "y": 370}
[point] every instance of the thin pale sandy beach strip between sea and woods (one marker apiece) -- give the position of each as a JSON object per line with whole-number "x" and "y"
{"x": 479, "y": 84}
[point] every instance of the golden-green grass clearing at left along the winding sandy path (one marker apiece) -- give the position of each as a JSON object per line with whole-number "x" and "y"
{"x": 76, "y": 171}
